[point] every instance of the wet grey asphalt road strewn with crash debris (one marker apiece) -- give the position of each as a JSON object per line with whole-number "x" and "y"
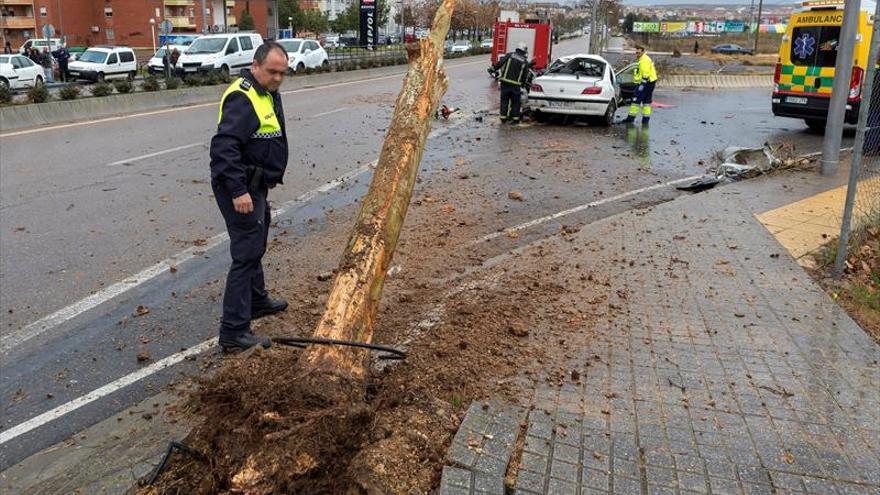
{"x": 88, "y": 206}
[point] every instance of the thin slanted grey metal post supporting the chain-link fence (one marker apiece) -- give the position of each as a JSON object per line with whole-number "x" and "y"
{"x": 858, "y": 149}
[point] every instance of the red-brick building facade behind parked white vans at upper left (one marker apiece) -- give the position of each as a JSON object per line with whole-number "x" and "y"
{"x": 133, "y": 23}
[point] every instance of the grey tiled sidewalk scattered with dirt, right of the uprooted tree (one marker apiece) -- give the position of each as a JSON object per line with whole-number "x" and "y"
{"x": 726, "y": 370}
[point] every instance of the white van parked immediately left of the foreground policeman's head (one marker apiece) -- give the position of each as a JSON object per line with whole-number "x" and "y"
{"x": 227, "y": 53}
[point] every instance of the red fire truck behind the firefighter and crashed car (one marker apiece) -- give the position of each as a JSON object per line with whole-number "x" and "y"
{"x": 535, "y": 33}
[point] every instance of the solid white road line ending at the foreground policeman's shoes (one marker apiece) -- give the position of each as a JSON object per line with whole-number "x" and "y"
{"x": 66, "y": 408}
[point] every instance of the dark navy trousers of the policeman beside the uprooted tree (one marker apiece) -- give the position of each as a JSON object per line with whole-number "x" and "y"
{"x": 248, "y": 235}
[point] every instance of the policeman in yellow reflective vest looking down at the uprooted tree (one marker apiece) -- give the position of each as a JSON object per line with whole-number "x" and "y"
{"x": 248, "y": 157}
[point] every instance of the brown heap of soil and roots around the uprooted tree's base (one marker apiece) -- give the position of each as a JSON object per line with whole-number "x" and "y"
{"x": 272, "y": 427}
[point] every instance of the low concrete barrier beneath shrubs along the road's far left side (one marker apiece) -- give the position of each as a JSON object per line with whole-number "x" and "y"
{"x": 20, "y": 117}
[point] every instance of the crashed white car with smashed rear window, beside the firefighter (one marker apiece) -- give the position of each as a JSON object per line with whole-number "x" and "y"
{"x": 581, "y": 85}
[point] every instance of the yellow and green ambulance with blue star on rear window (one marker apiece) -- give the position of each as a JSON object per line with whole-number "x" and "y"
{"x": 805, "y": 71}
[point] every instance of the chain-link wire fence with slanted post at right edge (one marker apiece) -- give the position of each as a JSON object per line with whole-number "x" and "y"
{"x": 861, "y": 213}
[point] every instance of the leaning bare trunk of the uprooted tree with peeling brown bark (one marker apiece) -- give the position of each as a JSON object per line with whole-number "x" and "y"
{"x": 354, "y": 299}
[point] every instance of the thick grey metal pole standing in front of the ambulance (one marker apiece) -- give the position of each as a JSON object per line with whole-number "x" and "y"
{"x": 840, "y": 88}
